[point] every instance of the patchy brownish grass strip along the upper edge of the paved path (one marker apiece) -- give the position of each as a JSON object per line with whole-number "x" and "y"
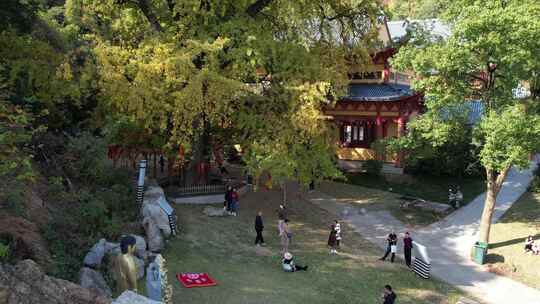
{"x": 374, "y": 199}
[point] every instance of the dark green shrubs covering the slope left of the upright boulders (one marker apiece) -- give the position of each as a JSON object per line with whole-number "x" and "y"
{"x": 99, "y": 207}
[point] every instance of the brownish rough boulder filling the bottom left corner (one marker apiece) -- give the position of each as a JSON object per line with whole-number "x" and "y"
{"x": 25, "y": 283}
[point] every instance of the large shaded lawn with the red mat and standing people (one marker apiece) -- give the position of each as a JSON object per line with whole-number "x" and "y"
{"x": 223, "y": 247}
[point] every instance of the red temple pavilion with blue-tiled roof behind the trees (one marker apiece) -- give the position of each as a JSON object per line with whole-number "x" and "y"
{"x": 378, "y": 105}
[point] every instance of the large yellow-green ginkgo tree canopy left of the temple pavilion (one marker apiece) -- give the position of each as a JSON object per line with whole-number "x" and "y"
{"x": 252, "y": 72}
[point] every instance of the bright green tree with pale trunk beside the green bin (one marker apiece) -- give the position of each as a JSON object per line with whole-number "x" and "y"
{"x": 493, "y": 48}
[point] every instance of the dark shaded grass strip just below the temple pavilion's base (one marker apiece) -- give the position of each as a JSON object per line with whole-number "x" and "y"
{"x": 431, "y": 188}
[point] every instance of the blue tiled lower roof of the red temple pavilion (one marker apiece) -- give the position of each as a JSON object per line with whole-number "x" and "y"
{"x": 377, "y": 92}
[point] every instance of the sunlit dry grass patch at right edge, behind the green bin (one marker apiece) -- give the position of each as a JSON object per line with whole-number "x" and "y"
{"x": 506, "y": 255}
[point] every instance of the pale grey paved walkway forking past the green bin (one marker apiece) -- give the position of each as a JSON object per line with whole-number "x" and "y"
{"x": 449, "y": 241}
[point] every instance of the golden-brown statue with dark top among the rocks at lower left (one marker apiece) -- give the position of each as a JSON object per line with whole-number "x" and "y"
{"x": 125, "y": 265}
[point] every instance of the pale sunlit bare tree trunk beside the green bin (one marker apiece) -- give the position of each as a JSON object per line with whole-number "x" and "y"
{"x": 494, "y": 183}
